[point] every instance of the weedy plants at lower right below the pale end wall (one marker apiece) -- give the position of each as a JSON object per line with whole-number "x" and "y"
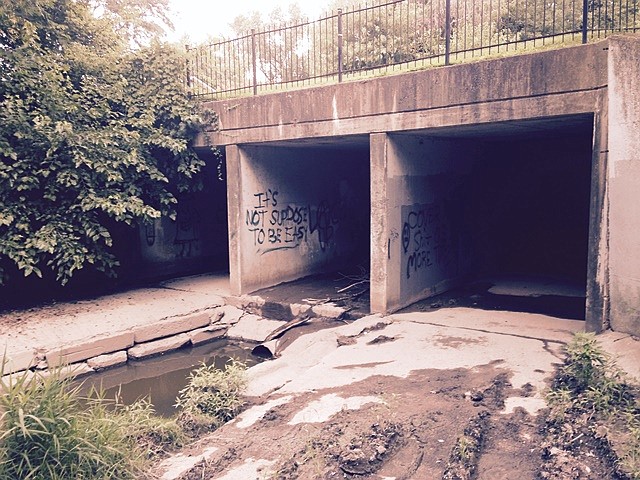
{"x": 593, "y": 403}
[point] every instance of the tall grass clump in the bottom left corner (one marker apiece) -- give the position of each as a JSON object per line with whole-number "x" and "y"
{"x": 46, "y": 434}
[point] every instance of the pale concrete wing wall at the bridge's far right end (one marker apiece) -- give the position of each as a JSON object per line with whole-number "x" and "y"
{"x": 624, "y": 183}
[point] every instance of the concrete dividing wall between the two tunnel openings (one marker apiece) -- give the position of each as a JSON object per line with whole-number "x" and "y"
{"x": 417, "y": 200}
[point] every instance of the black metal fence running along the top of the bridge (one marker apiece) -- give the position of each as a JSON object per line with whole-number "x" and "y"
{"x": 396, "y": 35}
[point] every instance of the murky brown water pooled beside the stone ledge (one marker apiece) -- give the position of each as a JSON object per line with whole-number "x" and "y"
{"x": 161, "y": 378}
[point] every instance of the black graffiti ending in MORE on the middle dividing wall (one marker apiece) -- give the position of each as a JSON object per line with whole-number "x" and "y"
{"x": 426, "y": 239}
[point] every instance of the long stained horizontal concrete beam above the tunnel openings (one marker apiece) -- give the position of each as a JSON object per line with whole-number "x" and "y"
{"x": 512, "y": 88}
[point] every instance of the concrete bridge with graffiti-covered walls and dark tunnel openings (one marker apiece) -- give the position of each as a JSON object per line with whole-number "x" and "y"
{"x": 523, "y": 165}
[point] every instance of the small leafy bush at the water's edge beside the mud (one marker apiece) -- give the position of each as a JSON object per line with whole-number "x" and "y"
{"x": 213, "y": 395}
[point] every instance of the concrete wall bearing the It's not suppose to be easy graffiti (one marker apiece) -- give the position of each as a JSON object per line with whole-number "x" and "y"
{"x": 297, "y": 212}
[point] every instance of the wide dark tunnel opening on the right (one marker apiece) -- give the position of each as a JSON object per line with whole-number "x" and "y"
{"x": 514, "y": 221}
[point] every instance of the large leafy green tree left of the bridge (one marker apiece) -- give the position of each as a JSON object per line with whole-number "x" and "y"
{"x": 92, "y": 133}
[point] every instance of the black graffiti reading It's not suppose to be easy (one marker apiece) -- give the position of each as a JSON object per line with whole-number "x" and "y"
{"x": 288, "y": 226}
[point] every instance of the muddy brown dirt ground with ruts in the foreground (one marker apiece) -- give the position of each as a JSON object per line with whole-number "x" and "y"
{"x": 442, "y": 425}
